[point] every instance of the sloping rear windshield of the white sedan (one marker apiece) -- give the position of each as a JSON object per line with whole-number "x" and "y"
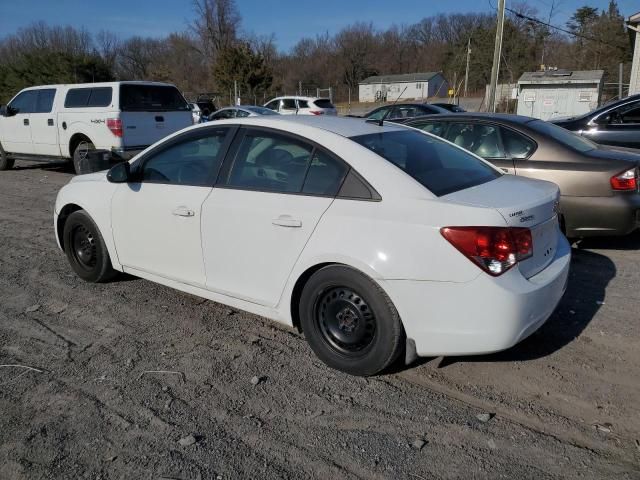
{"x": 437, "y": 165}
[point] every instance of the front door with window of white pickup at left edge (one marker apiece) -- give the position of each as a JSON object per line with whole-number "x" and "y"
{"x": 16, "y": 125}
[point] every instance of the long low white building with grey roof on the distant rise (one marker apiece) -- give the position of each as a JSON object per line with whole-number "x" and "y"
{"x": 416, "y": 86}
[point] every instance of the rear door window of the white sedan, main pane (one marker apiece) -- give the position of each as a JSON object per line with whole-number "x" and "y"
{"x": 270, "y": 162}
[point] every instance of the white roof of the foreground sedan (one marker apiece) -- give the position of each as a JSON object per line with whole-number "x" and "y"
{"x": 343, "y": 126}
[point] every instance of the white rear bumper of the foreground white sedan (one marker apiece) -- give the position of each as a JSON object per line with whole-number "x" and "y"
{"x": 484, "y": 315}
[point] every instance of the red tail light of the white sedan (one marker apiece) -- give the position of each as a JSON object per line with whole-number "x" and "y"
{"x": 494, "y": 249}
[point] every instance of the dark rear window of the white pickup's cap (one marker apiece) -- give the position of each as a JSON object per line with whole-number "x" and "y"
{"x": 151, "y": 98}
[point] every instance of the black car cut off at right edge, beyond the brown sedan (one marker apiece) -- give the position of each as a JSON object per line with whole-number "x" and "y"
{"x": 617, "y": 123}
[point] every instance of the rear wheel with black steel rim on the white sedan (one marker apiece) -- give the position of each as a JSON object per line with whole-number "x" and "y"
{"x": 350, "y": 322}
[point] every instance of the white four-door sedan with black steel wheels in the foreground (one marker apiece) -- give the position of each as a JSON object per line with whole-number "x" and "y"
{"x": 375, "y": 241}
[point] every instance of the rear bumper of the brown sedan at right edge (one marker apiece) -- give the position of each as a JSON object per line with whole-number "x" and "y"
{"x": 618, "y": 214}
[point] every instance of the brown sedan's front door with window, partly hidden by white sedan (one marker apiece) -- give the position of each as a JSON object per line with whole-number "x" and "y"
{"x": 484, "y": 140}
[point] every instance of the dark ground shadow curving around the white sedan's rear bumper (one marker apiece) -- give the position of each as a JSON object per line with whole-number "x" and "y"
{"x": 589, "y": 276}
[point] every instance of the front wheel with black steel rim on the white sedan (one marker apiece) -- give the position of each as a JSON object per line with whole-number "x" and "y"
{"x": 85, "y": 248}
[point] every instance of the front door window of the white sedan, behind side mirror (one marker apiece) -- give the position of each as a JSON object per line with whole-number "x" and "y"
{"x": 191, "y": 162}
